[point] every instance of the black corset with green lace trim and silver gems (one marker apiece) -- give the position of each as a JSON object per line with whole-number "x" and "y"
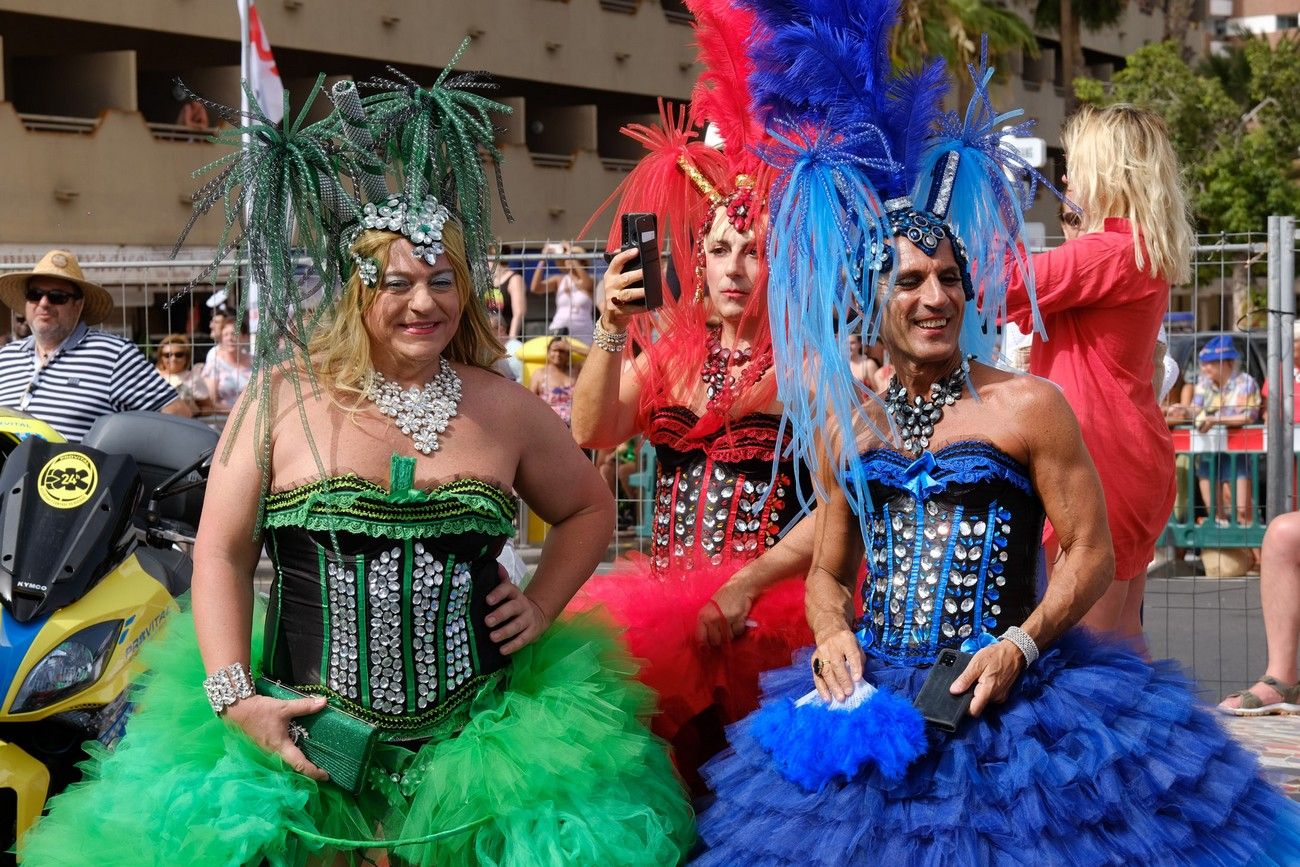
{"x": 379, "y": 596}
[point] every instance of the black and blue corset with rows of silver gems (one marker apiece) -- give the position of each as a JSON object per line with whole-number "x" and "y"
{"x": 954, "y": 543}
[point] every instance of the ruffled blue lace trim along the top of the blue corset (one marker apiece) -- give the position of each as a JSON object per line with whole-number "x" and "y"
{"x": 959, "y": 463}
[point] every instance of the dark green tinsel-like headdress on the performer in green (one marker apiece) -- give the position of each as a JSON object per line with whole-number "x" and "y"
{"x": 296, "y": 197}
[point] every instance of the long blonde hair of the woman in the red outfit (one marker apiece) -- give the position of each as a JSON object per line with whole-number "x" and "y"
{"x": 1121, "y": 164}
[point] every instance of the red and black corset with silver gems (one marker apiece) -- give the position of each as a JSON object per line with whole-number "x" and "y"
{"x": 716, "y": 497}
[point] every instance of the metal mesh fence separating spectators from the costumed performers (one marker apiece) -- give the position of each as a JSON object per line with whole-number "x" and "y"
{"x": 1203, "y": 604}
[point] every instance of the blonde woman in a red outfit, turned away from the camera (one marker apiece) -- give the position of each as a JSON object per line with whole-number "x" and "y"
{"x": 1103, "y": 297}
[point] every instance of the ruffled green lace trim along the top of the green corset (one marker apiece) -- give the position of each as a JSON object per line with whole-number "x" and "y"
{"x": 354, "y": 505}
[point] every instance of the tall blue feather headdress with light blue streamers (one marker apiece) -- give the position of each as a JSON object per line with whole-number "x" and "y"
{"x": 865, "y": 154}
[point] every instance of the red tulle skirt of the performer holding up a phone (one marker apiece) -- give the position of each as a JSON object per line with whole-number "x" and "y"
{"x": 660, "y": 617}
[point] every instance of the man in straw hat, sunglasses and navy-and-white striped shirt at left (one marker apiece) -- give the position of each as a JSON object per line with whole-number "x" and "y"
{"x": 64, "y": 374}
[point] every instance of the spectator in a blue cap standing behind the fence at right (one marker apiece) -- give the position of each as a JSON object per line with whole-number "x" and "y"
{"x": 1224, "y": 398}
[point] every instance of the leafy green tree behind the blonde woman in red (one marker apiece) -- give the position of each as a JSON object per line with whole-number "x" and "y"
{"x": 1236, "y": 124}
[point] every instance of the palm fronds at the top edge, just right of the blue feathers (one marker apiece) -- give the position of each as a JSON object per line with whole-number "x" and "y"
{"x": 952, "y": 29}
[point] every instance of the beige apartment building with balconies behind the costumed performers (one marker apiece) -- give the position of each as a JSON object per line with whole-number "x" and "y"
{"x": 94, "y": 158}
